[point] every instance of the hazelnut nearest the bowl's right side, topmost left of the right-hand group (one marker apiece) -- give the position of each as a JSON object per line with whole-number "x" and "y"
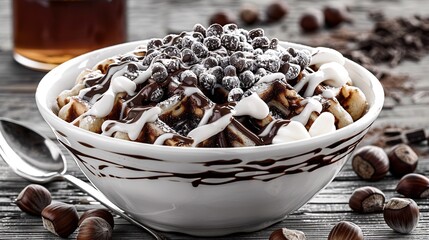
{"x": 370, "y": 163}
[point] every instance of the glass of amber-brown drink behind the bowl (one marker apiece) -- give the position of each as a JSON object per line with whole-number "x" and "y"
{"x": 47, "y": 33}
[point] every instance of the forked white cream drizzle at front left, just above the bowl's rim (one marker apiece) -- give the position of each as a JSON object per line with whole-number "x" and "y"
{"x": 132, "y": 129}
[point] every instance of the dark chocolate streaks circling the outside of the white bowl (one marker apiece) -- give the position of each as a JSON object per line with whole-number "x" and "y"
{"x": 260, "y": 170}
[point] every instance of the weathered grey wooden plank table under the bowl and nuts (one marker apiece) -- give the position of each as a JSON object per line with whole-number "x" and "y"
{"x": 156, "y": 18}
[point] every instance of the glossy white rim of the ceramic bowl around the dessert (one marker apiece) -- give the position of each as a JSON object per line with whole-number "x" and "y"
{"x": 361, "y": 124}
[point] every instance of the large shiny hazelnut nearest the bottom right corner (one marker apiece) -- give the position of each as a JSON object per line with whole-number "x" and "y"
{"x": 401, "y": 214}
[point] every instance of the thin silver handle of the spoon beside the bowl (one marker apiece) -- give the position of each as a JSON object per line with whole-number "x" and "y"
{"x": 107, "y": 203}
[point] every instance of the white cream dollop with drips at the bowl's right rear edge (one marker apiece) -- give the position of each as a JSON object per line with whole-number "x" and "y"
{"x": 333, "y": 74}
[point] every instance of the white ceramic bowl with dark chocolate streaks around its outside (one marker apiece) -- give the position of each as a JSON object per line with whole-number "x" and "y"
{"x": 205, "y": 191}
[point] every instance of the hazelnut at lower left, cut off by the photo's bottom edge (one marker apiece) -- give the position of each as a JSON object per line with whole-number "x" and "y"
{"x": 94, "y": 228}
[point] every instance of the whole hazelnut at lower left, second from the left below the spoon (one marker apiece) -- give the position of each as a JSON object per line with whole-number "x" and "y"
{"x": 60, "y": 218}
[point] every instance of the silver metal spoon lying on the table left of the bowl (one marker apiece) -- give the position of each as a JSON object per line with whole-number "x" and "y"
{"x": 38, "y": 159}
